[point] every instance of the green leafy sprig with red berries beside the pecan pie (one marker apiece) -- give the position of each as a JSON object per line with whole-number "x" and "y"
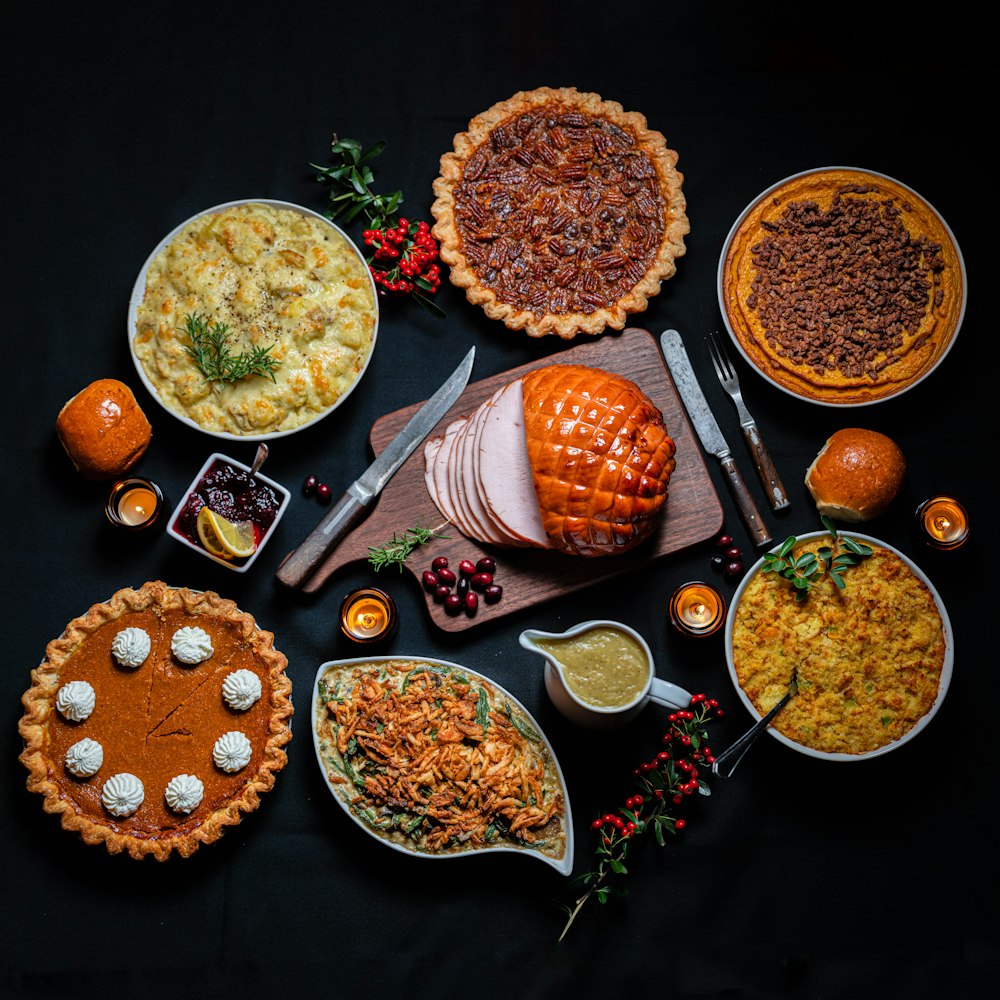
{"x": 404, "y": 254}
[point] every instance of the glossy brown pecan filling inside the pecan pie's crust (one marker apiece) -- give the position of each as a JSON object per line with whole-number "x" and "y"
{"x": 560, "y": 211}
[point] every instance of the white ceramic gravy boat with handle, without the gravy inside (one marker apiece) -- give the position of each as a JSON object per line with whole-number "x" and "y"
{"x": 595, "y": 716}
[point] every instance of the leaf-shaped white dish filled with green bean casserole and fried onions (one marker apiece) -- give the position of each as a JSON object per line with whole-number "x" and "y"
{"x": 438, "y": 761}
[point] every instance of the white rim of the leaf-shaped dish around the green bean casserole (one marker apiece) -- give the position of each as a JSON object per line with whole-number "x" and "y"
{"x": 563, "y": 864}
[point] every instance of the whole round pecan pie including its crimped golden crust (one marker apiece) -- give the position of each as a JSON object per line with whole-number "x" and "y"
{"x": 559, "y": 212}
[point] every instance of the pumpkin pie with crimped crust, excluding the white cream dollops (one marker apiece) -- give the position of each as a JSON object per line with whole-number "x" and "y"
{"x": 157, "y": 721}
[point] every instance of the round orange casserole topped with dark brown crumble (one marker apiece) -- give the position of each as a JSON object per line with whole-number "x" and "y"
{"x": 842, "y": 286}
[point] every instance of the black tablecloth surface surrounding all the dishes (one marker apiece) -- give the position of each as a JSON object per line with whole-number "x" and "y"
{"x": 796, "y": 877}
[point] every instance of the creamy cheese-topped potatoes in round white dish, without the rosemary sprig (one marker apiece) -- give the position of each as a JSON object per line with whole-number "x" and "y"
{"x": 278, "y": 280}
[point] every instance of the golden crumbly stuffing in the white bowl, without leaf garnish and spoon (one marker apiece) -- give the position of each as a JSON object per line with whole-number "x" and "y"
{"x": 867, "y": 659}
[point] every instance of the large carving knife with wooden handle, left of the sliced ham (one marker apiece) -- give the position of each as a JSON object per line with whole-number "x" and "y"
{"x": 350, "y": 510}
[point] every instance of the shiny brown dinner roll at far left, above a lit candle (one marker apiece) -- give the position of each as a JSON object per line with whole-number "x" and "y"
{"x": 103, "y": 429}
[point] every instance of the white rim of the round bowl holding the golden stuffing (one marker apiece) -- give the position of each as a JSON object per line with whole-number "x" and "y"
{"x": 946, "y": 669}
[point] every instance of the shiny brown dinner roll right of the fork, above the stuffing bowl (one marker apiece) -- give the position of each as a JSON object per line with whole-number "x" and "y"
{"x": 856, "y": 475}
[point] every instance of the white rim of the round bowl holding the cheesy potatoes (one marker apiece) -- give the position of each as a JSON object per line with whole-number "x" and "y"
{"x": 139, "y": 291}
